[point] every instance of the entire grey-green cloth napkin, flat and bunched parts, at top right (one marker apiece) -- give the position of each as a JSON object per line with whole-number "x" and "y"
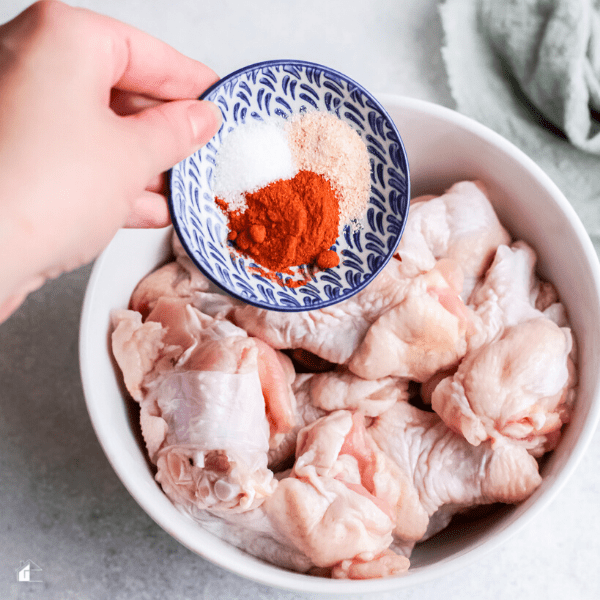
{"x": 509, "y": 69}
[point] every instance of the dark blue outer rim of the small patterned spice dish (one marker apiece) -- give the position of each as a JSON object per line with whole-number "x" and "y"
{"x": 390, "y": 252}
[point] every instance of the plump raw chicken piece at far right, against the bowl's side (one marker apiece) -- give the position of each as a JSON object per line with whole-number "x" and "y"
{"x": 518, "y": 387}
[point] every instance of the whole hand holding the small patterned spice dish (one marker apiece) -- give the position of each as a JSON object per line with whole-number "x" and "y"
{"x": 92, "y": 112}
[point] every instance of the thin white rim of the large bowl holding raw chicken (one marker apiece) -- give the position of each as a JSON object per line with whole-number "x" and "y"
{"x": 286, "y": 580}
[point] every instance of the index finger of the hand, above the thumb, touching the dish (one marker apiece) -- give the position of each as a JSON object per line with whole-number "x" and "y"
{"x": 146, "y": 65}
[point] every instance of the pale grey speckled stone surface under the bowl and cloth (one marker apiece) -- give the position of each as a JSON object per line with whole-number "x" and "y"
{"x": 61, "y": 505}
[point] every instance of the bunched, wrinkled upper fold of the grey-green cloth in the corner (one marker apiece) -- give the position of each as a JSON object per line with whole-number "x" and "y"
{"x": 552, "y": 48}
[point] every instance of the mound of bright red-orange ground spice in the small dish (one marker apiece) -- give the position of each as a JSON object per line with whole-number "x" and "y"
{"x": 287, "y": 223}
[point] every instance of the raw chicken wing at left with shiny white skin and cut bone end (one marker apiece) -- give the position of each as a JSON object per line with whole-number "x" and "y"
{"x": 214, "y": 454}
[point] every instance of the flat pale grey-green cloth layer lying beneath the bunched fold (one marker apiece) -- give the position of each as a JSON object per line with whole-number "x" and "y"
{"x": 484, "y": 89}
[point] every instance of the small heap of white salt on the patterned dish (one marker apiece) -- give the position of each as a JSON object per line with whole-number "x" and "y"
{"x": 250, "y": 157}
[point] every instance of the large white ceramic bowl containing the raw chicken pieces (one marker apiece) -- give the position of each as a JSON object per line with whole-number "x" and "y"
{"x": 443, "y": 147}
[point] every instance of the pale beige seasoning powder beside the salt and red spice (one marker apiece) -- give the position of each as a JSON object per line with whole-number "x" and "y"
{"x": 322, "y": 143}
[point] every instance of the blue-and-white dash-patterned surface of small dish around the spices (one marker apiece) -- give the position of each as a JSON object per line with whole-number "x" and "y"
{"x": 280, "y": 89}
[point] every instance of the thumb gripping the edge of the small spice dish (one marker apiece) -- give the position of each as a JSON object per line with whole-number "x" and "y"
{"x": 173, "y": 130}
